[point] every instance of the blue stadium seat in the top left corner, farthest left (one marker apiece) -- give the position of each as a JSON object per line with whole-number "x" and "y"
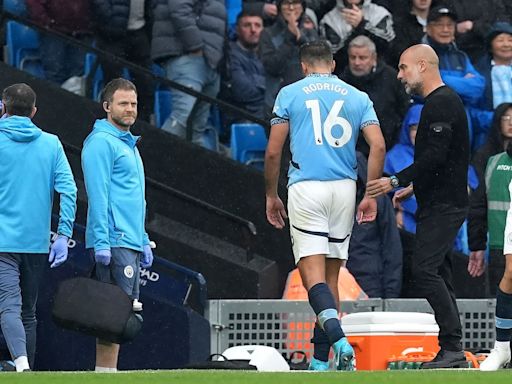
{"x": 22, "y": 42}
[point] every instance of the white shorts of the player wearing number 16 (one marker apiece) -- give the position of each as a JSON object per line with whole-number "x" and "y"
{"x": 321, "y": 215}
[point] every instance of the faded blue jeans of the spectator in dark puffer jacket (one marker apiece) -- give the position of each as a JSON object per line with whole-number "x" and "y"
{"x": 194, "y": 72}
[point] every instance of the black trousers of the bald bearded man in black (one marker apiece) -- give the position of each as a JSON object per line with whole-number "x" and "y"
{"x": 436, "y": 229}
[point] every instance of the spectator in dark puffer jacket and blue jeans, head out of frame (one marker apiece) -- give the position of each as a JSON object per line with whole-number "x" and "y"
{"x": 188, "y": 40}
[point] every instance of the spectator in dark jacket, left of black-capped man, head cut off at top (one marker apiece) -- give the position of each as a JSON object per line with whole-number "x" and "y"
{"x": 410, "y": 27}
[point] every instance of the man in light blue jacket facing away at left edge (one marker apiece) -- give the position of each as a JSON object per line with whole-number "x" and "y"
{"x": 32, "y": 166}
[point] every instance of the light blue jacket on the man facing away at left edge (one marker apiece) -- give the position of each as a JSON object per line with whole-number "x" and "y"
{"x": 32, "y": 166}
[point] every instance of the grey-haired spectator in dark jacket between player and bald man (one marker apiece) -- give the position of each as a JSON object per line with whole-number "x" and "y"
{"x": 373, "y": 76}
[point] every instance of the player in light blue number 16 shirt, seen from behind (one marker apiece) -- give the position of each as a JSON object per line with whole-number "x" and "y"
{"x": 324, "y": 117}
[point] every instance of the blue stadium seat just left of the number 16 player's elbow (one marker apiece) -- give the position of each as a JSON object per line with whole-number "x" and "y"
{"x": 248, "y": 144}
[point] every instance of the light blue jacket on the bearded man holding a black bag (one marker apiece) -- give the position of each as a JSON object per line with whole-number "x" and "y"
{"x": 114, "y": 180}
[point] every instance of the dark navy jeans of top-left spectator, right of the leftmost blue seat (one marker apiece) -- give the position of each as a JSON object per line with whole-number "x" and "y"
{"x": 60, "y": 59}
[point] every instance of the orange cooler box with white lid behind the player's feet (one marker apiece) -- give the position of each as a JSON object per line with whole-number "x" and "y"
{"x": 378, "y": 336}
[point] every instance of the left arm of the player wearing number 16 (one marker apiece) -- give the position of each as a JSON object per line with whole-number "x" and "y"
{"x": 275, "y": 209}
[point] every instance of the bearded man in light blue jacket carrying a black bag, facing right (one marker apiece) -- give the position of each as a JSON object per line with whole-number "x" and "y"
{"x": 114, "y": 180}
